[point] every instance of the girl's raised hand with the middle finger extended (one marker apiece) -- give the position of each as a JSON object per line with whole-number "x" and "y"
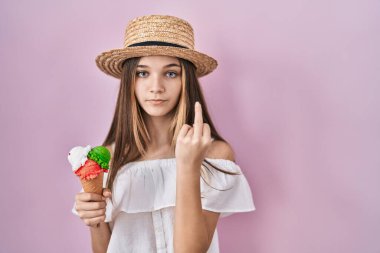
{"x": 193, "y": 142}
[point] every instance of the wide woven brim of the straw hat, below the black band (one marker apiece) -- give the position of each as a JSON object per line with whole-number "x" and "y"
{"x": 110, "y": 62}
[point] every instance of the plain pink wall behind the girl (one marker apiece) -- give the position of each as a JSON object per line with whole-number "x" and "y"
{"x": 296, "y": 92}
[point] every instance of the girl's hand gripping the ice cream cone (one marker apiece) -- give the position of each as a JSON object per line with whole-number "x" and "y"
{"x": 91, "y": 207}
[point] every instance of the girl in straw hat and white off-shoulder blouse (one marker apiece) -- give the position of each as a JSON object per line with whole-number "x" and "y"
{"x": 172, "y": 175}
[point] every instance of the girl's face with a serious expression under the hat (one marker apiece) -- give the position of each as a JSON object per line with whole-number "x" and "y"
{"x": 158, "y": 84}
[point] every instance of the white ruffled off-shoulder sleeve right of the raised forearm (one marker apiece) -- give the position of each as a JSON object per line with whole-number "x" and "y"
{"x": 224, "y": 193}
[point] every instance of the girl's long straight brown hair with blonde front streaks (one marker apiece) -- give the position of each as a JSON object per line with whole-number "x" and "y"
{"x": 128, "y": 130}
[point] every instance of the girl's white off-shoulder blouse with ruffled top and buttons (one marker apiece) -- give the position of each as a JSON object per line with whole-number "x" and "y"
{"x": 141, "y": 214}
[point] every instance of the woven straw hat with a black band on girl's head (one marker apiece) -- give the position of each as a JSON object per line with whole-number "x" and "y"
{"x": 156, "y": 35}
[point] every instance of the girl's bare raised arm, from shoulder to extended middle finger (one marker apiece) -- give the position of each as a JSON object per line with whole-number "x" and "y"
{"x": 193, "y": 227}
